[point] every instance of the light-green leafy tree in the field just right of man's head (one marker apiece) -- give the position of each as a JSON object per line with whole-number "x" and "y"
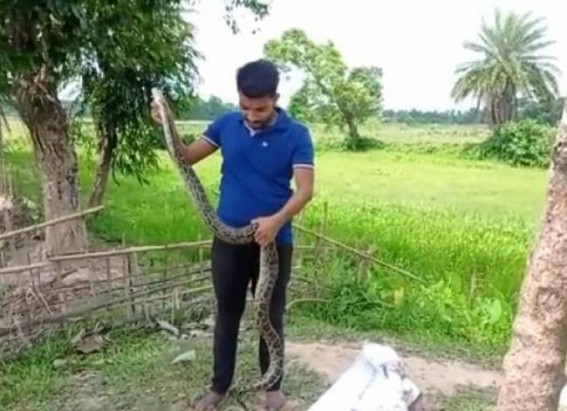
{"x": 331, "y": 92}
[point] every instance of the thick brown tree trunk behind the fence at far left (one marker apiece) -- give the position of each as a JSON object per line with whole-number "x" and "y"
{"x": 40, "y": 109}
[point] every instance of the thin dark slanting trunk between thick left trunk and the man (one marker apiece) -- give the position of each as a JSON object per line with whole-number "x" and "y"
{"x": 108, "y": 141}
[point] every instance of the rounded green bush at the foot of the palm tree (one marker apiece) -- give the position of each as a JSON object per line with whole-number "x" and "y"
{"x": 522, "y": 143}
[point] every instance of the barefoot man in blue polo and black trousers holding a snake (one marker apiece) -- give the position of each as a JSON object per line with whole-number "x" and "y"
{"x": 263, "y": 149}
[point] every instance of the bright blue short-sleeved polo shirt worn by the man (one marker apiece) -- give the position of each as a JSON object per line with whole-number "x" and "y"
{"x": 257, "y": 167}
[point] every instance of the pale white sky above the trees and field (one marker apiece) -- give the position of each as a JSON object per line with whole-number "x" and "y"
{"x": 417, "y": 43}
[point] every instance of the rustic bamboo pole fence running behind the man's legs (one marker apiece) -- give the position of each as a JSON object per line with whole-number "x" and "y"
{"x": 129, "y": 283}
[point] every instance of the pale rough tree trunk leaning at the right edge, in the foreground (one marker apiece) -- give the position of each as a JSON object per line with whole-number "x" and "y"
{"x": 534, "y": 367}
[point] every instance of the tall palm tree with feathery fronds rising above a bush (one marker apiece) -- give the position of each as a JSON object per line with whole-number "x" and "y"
{"x": 510, "y": 66}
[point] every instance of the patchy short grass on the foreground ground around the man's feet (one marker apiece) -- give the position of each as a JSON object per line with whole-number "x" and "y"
{"x": 133, "y": 372}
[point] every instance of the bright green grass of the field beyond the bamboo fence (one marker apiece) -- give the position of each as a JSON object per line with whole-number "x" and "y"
{"x": 464, "y": 226}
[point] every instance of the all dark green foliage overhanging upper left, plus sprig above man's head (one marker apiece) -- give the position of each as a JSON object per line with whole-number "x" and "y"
{"x": 117, "y": 50}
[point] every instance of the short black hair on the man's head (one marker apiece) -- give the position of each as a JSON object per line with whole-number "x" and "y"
{"x": 258, "y": 79}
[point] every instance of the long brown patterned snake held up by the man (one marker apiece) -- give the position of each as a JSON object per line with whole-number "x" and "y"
{"x": 243, "y": 235}
